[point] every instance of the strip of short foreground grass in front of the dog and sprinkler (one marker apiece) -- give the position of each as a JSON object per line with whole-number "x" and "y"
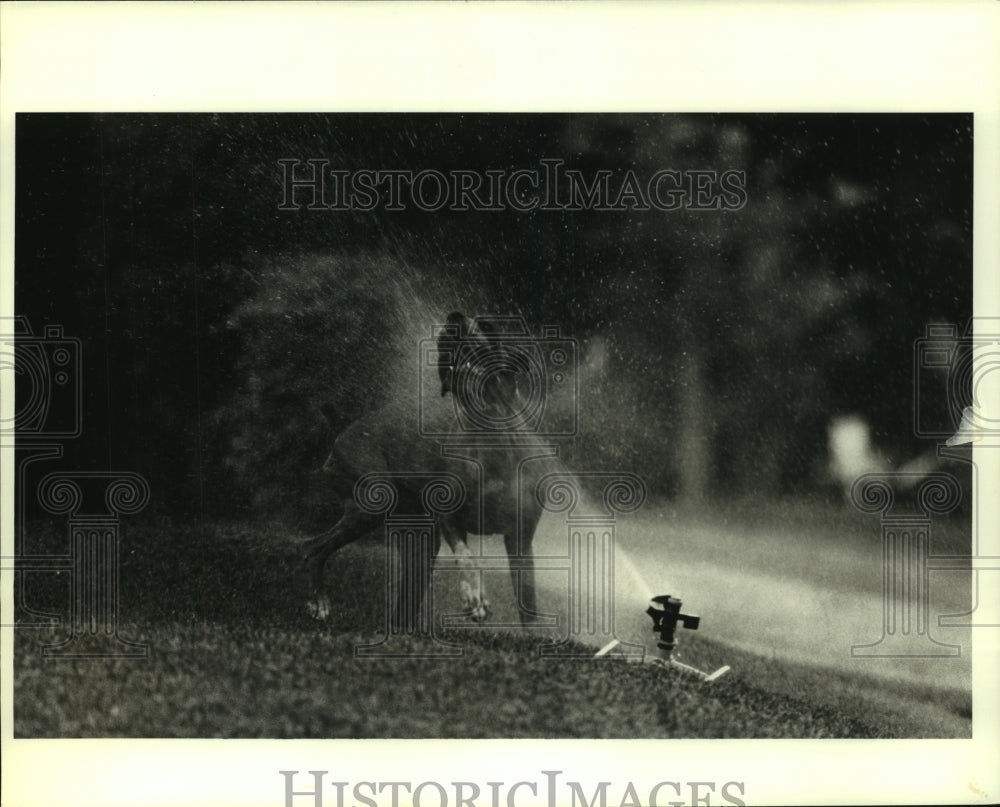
{"x": 214, "y": 680}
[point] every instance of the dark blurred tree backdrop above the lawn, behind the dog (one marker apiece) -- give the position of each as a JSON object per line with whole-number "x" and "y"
{"x": 764, "y": 353}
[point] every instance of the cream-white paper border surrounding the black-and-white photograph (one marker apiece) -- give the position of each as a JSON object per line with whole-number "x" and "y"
{"x": 685, "y": 57}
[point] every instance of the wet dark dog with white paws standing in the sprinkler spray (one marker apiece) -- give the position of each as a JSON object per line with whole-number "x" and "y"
{"x": 499, "y": 470}
